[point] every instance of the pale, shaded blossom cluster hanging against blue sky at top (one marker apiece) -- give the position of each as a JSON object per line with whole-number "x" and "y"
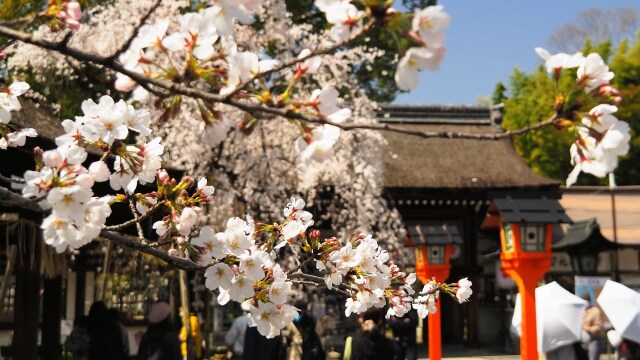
{"x": 427, "y": 29}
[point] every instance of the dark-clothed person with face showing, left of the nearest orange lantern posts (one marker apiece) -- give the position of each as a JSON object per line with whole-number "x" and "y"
{"x": 369, "y": 343}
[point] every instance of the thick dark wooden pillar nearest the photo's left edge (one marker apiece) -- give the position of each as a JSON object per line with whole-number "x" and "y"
{"x": 27, "y": 299}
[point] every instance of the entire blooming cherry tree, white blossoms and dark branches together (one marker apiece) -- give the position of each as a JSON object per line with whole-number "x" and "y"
{"x": 201, "y": 67}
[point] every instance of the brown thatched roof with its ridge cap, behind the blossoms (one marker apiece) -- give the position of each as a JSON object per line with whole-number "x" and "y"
{"x": 437, "y": 163}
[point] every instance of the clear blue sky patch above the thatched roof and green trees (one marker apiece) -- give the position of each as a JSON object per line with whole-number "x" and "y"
{"x": 488, "y": 38}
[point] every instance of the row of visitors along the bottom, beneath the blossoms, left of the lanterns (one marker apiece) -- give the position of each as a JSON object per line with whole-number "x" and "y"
{"x": 101, "y": 335}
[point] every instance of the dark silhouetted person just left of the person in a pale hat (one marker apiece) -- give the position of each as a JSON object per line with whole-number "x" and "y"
{"x": 105, "y": 335}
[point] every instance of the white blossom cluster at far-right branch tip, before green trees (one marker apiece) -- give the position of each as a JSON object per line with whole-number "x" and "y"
{"x": 601, "y": 137}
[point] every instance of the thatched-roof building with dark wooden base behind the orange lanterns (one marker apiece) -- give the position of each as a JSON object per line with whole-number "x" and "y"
{"x": 454, "y": 181}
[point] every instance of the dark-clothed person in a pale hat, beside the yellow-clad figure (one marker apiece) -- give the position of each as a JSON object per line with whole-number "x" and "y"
{"x": 160, "y": 341}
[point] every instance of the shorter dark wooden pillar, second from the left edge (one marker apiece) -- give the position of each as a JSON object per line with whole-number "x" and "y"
{"x": 51, "y": 317}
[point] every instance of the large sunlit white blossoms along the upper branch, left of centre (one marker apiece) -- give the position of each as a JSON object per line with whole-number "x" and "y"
{"x": 213, "y": 57}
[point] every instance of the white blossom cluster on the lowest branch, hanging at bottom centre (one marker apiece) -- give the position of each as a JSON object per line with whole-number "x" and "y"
{"x": 243, "y": 265}
